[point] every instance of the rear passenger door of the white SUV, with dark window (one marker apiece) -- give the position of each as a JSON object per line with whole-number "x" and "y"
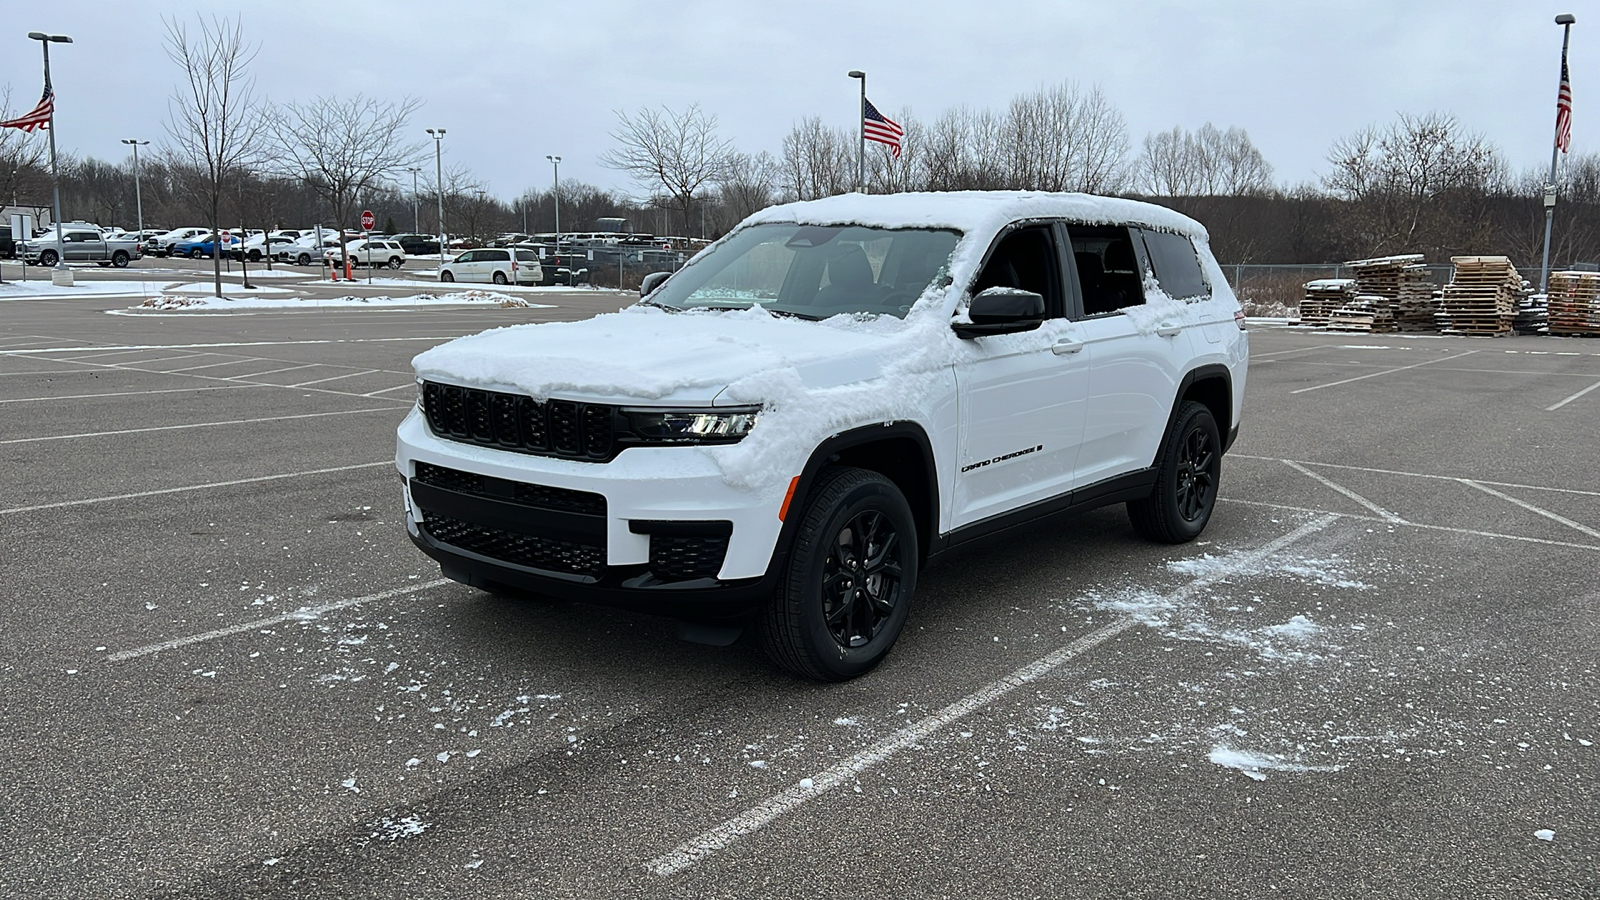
{"x": 1138, "y": 350}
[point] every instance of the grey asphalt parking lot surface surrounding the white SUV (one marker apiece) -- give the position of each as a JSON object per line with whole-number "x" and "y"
{"x": 230, "y": 673}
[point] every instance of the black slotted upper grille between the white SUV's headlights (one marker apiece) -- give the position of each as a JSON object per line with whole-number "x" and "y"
{"x": 514, "y": 422}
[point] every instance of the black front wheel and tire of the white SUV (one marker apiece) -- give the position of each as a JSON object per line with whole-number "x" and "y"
{"x": 849, "y": 579}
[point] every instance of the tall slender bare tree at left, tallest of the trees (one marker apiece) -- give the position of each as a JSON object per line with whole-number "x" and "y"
{"x": 214, "y": 121}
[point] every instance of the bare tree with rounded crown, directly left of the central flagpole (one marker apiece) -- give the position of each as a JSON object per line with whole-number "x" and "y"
{"x": 679, "y": 151}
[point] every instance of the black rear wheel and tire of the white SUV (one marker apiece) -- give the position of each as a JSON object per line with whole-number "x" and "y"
{"x": 1186, "y": 480}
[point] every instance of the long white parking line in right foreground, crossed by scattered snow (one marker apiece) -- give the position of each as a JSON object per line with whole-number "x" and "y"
{"x": 758, "y": 818}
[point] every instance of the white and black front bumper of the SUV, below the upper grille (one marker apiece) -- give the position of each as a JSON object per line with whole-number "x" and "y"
{"x": 655, "y": 529}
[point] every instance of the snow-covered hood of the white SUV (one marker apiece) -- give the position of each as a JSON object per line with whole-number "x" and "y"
{"x": 649, "y": 353}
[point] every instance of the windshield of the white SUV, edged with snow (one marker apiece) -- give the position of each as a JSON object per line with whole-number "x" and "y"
{"x": 815, "y": 271}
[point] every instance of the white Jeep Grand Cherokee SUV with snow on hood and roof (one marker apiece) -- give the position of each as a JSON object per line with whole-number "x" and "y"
{"x": 825, "y": 401}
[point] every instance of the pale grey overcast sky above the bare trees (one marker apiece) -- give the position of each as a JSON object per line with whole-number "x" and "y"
{"x": 513, "y": 82}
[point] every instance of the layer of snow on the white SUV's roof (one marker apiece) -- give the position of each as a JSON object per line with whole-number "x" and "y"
{"x": 977, "y": 212}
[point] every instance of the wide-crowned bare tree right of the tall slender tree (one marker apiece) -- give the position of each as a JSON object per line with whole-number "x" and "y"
{"x": 345, "y": 148}
